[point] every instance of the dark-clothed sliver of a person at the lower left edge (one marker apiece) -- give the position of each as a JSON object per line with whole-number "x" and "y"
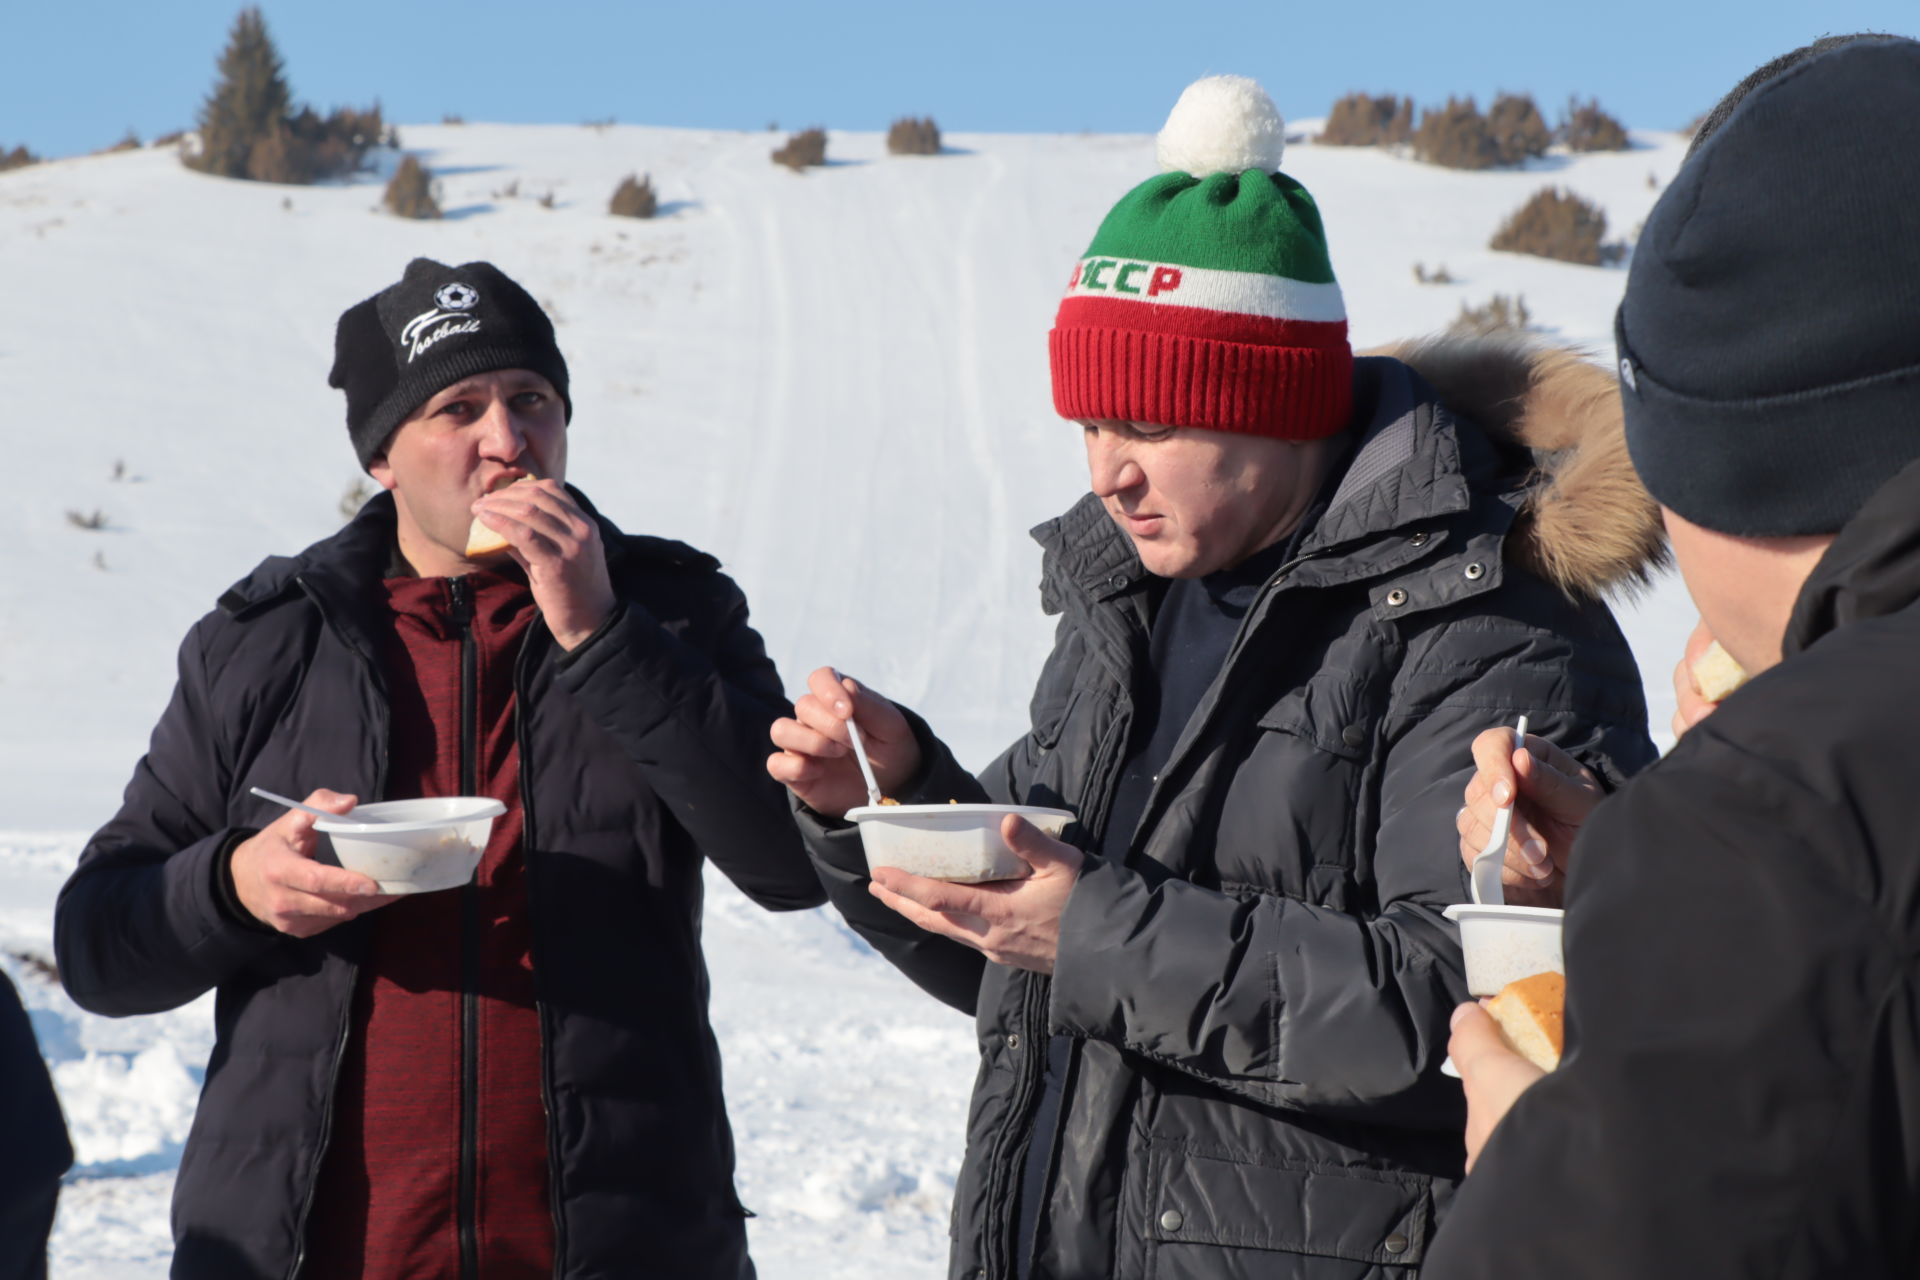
{"x": 36, "y": 1150}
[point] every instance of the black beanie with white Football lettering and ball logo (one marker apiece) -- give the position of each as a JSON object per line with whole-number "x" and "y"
{"x": 439, "y": 325}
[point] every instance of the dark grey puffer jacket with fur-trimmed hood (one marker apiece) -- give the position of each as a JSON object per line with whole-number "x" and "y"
{"x": 1259, "y": 995}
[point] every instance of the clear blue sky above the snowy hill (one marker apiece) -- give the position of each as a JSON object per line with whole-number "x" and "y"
{"x": 84, "y": 72}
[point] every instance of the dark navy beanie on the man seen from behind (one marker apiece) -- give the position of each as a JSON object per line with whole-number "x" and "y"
{"x": 1771, "y": 329}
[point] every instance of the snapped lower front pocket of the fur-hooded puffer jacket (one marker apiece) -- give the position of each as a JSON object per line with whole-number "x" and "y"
{"x": 1232, "y": 1220}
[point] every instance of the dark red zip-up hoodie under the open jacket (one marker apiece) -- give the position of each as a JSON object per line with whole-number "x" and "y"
{"x": 439, "y": 1156}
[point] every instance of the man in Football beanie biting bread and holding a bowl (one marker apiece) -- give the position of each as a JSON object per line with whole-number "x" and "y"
{"x": 508, "y": 1079}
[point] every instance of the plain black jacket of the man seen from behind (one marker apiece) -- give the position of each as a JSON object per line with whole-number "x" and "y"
{"x": 1740, "y": 1093}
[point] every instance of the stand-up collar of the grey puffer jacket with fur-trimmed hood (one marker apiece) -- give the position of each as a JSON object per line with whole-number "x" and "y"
{"x": 1410, "y": 467}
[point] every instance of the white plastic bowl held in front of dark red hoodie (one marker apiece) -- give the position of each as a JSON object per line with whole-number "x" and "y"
{"x": 416, "y": 847}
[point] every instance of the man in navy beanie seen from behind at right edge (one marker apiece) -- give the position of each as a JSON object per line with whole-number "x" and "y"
{"x": 1742, "y": 1070}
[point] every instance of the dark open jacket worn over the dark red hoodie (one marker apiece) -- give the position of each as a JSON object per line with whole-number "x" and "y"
{"x": 642, "y": 753}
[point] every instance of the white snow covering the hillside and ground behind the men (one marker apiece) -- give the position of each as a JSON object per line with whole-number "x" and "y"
{"x": 836, "y": 383}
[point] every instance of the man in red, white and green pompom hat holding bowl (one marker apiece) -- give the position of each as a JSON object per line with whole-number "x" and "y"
{"x": 1212, "y": 1016}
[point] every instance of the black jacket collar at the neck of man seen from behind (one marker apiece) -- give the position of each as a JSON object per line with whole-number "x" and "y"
{"x": 1871, "y": 571}
